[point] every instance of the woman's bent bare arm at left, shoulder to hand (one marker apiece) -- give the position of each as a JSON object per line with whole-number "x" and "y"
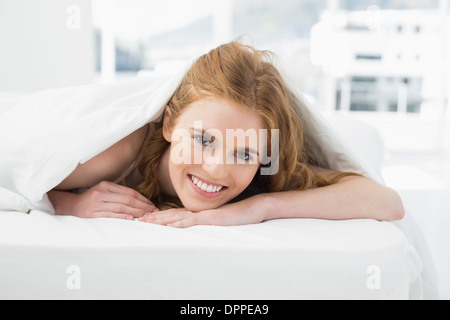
{"x": 103, "y": 198}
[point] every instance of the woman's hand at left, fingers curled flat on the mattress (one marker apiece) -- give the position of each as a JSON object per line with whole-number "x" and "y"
{"x": 110, "y": 200}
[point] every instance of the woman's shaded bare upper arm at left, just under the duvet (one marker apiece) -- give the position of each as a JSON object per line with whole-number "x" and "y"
{"x": 108, "y": 165}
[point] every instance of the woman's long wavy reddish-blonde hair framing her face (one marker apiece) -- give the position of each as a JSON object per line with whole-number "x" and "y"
{"x": 244, "y": 75}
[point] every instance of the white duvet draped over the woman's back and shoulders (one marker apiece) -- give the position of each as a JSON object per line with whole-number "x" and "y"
{"x": 45, "y": 135}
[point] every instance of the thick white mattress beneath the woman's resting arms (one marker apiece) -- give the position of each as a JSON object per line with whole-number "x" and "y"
{"x": 44, "y": 256}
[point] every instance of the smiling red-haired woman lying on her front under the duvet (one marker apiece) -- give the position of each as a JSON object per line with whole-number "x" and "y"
{"x": 233, "y": 87}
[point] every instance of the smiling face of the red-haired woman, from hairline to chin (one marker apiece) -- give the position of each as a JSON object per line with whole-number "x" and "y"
{"x": 214, "y": 152}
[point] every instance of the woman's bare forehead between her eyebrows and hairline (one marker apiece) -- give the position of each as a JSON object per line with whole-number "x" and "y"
{"x": 221, "y": 114}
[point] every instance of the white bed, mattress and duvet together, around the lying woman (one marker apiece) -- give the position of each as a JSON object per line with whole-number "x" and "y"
{"x": 43, "y": 256}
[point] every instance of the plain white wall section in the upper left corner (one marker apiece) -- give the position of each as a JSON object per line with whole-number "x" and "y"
{"x": 45, "y": 44}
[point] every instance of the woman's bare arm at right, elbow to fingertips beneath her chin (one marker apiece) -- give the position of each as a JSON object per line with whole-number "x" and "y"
{"x": 352, "y": 197}
